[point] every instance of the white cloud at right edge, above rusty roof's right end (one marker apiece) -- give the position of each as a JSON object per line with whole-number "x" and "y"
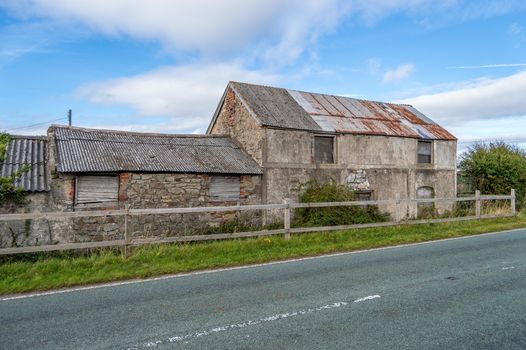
{"x": 482, "y": 99}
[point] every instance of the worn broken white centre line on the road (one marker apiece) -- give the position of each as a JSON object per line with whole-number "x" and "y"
{"x": 187, "y": 337}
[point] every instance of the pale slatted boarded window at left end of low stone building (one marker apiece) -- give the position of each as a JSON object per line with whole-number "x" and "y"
{"x": 97, "y": 189}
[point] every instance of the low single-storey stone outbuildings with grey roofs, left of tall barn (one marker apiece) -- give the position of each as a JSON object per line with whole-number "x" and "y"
{"x": 88, "y": 169}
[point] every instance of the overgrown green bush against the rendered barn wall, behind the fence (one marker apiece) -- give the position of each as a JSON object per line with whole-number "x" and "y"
{"x": 332, "y": 192}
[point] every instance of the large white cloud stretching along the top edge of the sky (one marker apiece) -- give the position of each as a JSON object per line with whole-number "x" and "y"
{"x": 273, "y": 28}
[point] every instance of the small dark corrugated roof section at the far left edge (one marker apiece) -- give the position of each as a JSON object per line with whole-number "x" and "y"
{"x": 32, "y": 151}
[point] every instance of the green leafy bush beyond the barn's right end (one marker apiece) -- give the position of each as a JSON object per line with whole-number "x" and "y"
{"x": 496, "y": 168}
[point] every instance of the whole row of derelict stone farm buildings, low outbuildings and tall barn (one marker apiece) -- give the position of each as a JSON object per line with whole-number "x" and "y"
{"x": 261, "y": 146}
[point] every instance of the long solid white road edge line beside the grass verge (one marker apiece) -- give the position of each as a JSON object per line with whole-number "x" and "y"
{"x": 116, "y": 284}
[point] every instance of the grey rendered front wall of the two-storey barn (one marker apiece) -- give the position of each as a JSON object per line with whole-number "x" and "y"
{"x": 387, "y": 164}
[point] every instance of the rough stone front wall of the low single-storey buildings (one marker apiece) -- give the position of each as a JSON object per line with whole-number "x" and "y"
{"x": 136, "y": 191}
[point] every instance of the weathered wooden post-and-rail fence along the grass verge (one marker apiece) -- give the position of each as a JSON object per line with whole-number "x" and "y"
{"x": 287, "y": 230}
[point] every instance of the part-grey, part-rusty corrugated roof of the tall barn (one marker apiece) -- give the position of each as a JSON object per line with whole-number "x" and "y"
{"x": 300, "y": 110}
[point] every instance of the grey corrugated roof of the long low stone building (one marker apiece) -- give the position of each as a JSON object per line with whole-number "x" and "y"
{"x": 81, "y": 150}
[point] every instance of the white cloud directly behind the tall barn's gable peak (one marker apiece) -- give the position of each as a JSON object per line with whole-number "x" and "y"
{"x": 187, "y": 93}
